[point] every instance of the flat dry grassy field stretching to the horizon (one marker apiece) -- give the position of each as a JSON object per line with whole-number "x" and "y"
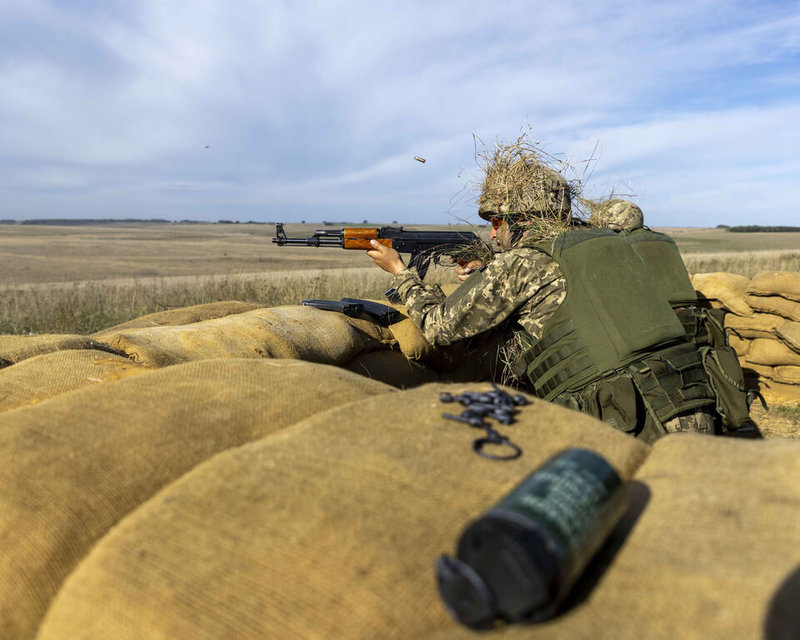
{"x": 82, "y": 278}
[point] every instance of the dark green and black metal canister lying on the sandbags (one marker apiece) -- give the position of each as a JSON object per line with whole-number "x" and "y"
{"x": 518, "y": 561}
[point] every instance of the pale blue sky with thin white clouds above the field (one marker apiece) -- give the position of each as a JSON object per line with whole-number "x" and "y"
{"x": 314, "y": 110}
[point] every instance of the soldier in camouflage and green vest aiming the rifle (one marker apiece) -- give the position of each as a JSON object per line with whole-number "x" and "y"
{"x": 584, "y": 323}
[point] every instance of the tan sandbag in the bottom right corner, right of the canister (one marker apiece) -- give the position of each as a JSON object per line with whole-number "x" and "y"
{"x": 714, "y": 552}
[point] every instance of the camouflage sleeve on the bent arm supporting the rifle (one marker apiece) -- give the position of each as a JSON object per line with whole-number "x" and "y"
{"x": 513, "y": 281}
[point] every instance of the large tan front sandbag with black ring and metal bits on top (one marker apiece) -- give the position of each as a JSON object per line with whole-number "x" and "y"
{"x": 329, "y": 529}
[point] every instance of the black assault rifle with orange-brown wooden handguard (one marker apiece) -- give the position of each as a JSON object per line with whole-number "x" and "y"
{"x": 424, "y": 246}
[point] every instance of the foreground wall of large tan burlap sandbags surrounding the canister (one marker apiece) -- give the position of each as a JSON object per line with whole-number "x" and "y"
{"x": 190, "y": 477}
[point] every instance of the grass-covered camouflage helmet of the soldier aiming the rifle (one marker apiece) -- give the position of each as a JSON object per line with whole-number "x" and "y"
{"x": 524, "y": 187}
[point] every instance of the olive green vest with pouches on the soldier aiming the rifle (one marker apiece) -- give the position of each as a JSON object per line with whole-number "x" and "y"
{"x": 614, "y": 348}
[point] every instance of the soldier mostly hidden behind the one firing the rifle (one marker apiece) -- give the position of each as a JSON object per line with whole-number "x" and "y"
{"x": 704, "y": 327}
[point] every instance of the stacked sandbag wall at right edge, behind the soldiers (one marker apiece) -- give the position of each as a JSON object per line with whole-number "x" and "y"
{"x": 763, "y": 323}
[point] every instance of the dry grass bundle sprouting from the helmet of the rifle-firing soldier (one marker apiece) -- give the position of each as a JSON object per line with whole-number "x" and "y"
{"x": 520, "y": 185}
